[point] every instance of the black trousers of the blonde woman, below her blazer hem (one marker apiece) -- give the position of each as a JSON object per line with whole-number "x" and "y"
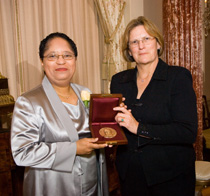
{"x": 135, "y": 183}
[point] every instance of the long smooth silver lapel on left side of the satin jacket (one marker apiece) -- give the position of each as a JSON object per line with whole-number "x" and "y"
{"x": 59, "y": 109}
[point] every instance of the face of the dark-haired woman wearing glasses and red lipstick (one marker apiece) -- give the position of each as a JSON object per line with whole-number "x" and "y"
{"x": 59, "y": 71}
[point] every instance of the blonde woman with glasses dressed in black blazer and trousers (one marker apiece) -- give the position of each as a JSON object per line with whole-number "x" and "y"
{"x": 160, "y": 120}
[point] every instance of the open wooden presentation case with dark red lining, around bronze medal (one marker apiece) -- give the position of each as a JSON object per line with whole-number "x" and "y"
{"x": 102, "y": 115}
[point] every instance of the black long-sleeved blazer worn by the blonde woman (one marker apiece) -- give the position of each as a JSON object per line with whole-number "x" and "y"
{"x": 167, "y": 117}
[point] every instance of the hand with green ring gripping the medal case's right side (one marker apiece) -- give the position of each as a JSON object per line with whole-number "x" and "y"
{"x": 125, "y": 118}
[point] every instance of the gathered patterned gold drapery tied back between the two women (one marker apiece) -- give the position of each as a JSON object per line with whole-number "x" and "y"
{"x": 111, "y": 16}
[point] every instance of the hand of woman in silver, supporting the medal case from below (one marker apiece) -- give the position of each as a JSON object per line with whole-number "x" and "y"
{"x": 87, "y": 145}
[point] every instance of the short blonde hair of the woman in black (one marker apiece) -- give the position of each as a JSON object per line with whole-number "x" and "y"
{"x": 150, "y": 28}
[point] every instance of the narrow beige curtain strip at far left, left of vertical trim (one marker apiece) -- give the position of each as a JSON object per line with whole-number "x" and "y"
{"x": 7, "y": 45}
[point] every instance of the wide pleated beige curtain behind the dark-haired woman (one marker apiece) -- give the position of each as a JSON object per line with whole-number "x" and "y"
{"x": 26, "y": 22}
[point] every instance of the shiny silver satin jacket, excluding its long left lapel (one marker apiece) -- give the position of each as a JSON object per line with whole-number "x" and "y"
{"x": 43, "y": 139}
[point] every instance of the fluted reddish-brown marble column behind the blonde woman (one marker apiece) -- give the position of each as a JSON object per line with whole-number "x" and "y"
{"x": 182, "y": 23}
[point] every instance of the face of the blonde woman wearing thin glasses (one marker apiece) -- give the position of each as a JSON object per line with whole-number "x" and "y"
{"x": 144, "y": 52}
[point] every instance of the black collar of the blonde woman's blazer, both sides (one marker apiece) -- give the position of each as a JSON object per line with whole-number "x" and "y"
{"x": 159, "y": 74}
